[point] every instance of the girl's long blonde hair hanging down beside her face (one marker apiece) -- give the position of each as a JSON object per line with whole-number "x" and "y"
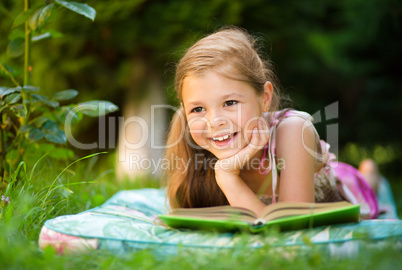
{"x": 233, "y": 53}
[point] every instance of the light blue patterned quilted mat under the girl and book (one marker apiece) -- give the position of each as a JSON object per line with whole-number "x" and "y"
{"x": 128, "y": 222}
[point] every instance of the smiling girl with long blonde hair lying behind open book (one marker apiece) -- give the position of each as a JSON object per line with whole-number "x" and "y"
{"x": 230, "y": 144}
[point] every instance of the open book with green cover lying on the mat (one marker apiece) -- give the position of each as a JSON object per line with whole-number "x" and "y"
{"x": 284, "y": 215}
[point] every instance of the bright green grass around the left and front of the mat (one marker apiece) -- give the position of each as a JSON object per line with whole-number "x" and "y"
{"x": 48, "y": 191}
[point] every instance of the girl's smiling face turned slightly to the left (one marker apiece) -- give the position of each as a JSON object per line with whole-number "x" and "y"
{"x": 222, "y": 112}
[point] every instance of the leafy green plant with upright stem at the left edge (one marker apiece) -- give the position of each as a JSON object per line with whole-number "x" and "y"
{"x": 33, "y": 124}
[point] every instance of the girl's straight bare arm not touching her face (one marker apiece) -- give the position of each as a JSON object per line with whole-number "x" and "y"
{"x": 297, "y": 174}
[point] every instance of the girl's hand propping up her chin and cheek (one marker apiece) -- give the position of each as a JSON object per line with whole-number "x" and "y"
{"x": 235, "y": 163}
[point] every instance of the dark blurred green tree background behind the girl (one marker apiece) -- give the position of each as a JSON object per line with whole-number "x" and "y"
{"x": 345, "y": 51}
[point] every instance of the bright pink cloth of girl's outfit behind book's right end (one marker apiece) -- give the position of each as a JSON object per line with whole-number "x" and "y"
{"x": 355, "y": 189}
